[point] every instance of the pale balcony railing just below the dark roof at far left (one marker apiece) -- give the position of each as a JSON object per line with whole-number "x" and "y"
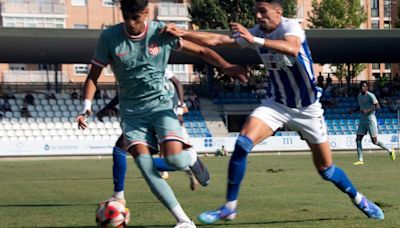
{"x": 16, "y": 76}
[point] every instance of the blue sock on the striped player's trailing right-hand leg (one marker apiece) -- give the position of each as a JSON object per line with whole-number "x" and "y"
{"x": 339, "y": 178}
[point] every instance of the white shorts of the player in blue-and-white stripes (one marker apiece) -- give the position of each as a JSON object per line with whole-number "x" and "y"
{"x": 308, "y": 121}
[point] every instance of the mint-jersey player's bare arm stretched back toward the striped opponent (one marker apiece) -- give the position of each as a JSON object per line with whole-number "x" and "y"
{"x": 213, "y": 58}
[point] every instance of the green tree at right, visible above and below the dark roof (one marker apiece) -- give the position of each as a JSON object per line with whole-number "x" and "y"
{"x": 344, "y": 15}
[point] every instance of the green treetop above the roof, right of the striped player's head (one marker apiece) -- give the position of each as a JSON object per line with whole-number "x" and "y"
{"x": 337, "y": 14}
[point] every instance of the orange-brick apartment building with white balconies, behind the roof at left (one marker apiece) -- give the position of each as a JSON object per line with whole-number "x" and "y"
{"x": 79, "y": 14}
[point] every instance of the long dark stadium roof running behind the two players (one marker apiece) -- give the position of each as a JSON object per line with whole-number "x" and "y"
{"x": 41, "y": 45}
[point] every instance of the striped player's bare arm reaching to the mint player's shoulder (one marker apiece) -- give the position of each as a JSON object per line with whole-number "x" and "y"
{"x": 202, "y": 38}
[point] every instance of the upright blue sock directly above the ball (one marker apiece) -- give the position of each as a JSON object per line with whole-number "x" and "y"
{"x": 119, "y": 168}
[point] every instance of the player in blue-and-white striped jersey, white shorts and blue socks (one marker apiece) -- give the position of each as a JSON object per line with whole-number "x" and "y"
{"x": 292, "y": 100}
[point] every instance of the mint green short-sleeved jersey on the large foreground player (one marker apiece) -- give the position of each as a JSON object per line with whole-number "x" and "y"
{"x": 138, "y": 64}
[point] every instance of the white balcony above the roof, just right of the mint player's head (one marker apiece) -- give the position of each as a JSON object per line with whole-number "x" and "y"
{"x": 173, "y": 12}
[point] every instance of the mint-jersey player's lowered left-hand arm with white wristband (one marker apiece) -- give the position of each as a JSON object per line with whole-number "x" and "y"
{"x": 90, "y": 89}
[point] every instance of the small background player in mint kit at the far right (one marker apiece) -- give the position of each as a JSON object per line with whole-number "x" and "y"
{"x": 368, "y": 104}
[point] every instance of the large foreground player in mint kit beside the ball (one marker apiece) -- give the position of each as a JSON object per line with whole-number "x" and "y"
{"x": 138, "y": 52}
